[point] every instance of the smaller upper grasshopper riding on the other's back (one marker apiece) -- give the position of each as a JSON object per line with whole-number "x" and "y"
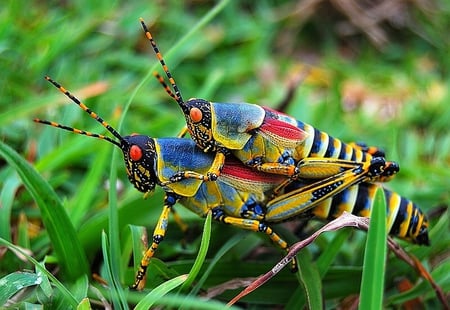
{"x": 262, "y": 138}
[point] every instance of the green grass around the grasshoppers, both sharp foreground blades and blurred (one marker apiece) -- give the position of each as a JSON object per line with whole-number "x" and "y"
{"x": 395, "y": 98}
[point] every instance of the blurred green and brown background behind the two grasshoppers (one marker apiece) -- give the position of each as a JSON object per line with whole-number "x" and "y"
{"x": 378, "y": 72}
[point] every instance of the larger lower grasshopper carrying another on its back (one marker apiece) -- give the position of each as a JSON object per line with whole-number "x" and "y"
{"x": 241, "y": 196}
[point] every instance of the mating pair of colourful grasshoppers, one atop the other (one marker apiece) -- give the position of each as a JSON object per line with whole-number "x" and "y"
{"x": 270, "y": 168}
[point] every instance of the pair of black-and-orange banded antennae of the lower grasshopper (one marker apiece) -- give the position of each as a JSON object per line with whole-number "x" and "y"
{"x": 88, "y": 111}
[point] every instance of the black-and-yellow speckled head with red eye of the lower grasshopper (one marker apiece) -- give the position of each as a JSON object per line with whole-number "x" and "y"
{"x": 140, "y": 156}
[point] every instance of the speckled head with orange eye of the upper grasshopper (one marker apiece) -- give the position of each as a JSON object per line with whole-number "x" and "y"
{"x": 199, "y": 122}
